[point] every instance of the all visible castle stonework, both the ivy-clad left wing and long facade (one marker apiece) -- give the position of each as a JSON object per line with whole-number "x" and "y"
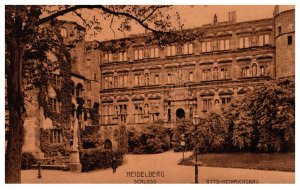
{"x": 143, "y": 83}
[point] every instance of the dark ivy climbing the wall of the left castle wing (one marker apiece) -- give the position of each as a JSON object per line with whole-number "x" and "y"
{"x": 60, "y": 120}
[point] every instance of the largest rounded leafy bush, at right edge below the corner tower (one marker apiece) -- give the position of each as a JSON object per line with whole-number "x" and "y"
{"x": 264, "y": 119}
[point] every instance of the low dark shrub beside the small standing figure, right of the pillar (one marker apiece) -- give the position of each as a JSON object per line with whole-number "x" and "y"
{"x": 92, "y": 159}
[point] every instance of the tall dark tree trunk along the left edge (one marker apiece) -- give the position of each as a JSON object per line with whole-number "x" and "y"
{"x": 17, "y": 113}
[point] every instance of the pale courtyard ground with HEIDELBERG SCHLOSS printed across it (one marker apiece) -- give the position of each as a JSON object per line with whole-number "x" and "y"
{"x": 160, "y": 168}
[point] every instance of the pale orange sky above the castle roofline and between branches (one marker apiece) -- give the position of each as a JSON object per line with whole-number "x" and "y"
{"x": 192, "y": 16}
